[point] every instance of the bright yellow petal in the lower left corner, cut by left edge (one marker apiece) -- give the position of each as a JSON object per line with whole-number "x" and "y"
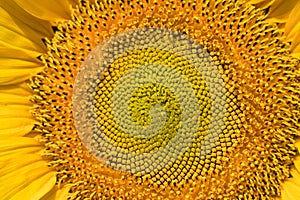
{"x": 21, "y": 179}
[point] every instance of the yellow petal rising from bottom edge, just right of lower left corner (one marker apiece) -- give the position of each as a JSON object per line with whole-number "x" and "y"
{"x": 37, "y": 189}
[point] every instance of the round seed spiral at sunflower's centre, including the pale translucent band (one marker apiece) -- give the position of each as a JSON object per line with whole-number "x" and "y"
{"x": 153, "y": 67}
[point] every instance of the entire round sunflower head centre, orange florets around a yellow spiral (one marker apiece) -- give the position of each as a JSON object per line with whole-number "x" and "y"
{"x": 246, "y": 156}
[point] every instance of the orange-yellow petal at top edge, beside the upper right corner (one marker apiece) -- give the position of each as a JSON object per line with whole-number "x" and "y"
{"x": 281, "y": 9}
